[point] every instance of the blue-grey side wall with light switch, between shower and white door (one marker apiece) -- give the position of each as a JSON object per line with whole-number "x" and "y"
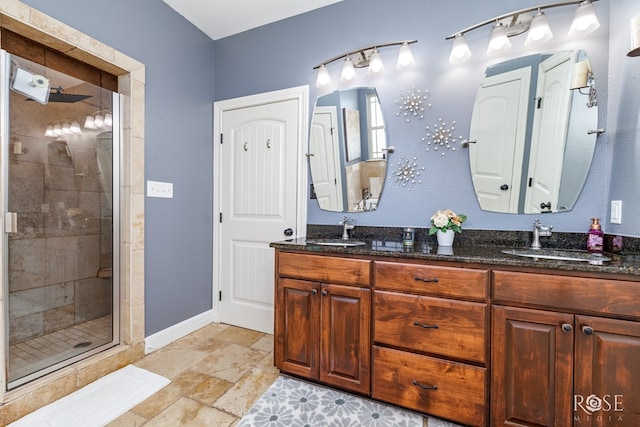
{"x": 178, "y": 134}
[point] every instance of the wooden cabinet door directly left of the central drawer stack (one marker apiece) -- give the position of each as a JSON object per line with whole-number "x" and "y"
{"x": 345, "y": 337}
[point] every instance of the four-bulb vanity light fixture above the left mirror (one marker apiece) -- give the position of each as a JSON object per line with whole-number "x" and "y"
{"x": 365, "y": 57}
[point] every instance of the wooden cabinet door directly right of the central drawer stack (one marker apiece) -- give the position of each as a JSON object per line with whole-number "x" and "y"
{"x": 532, "y": 367}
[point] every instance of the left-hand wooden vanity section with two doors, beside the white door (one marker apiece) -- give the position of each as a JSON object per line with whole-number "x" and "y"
{"x": 322, "y": 330}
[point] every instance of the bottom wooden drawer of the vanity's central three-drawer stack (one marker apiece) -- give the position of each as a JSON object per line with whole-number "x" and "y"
{"x": 399, "y": 378}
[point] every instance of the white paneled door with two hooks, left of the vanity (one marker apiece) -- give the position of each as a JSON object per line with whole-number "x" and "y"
{"x": 258, "y": 205}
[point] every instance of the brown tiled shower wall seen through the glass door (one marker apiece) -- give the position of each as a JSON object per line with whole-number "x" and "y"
{"x": 62, "y": 250}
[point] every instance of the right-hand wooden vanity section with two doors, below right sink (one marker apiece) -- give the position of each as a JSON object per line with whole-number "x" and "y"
{"x": 549, "y": 360}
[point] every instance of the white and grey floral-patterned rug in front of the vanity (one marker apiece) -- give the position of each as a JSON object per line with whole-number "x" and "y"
{"x": 292, "y": 402}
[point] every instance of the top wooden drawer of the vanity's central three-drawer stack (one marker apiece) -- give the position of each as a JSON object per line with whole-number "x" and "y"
{"x": 432, "y": 280}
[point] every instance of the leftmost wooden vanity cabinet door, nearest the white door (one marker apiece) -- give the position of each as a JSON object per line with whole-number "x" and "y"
{"x": 297, "y": 335}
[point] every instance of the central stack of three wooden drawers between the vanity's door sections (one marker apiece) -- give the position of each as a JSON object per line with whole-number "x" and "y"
{"x": 430, "y": 330}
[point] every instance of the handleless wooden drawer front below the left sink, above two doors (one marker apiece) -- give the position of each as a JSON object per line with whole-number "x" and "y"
{"x": 328, "y": 269}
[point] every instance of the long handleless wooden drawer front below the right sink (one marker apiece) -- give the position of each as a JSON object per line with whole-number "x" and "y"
{"x": 614, "y": 297}
